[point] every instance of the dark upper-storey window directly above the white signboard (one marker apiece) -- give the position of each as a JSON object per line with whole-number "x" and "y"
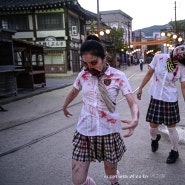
{"x": 51, "y": 21}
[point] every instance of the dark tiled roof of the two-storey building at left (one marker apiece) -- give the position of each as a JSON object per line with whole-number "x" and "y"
{"x": 26, "y": 5}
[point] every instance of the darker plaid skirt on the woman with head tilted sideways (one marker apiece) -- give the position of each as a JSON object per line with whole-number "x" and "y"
{"x": 161, "y": 112}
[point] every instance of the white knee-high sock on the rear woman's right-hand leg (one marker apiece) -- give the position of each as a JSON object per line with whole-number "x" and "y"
{"x": 174, "y": 138}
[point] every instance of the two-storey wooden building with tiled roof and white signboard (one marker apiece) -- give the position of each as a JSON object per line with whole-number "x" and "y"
{"x": 59, "y": 26}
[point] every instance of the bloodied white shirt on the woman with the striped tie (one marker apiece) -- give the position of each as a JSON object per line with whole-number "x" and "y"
{"x": 163, "y": 85}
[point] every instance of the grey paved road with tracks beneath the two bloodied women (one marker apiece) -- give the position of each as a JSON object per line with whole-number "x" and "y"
{"x": 39, "y": 152}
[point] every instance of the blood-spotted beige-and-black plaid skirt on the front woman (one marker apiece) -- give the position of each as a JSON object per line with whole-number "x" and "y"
{"x": 109, "y": 148}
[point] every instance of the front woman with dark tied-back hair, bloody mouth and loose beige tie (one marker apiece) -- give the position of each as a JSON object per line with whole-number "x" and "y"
{"x": 97, "y": 136}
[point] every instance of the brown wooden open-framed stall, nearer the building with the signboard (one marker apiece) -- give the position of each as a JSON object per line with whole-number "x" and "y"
{"x": 29, "y": 57}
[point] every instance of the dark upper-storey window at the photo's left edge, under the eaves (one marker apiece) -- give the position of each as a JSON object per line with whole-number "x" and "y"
{"x": 15, "y": 22}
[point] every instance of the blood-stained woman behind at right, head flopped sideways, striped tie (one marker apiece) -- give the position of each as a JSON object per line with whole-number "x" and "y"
{"x": 163, "y": 107}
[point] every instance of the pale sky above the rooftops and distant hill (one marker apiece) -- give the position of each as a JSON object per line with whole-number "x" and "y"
{"x": 145, "y": 13}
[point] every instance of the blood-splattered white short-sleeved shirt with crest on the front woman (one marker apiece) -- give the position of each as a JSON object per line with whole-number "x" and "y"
{"x": 95, "y": 119}
